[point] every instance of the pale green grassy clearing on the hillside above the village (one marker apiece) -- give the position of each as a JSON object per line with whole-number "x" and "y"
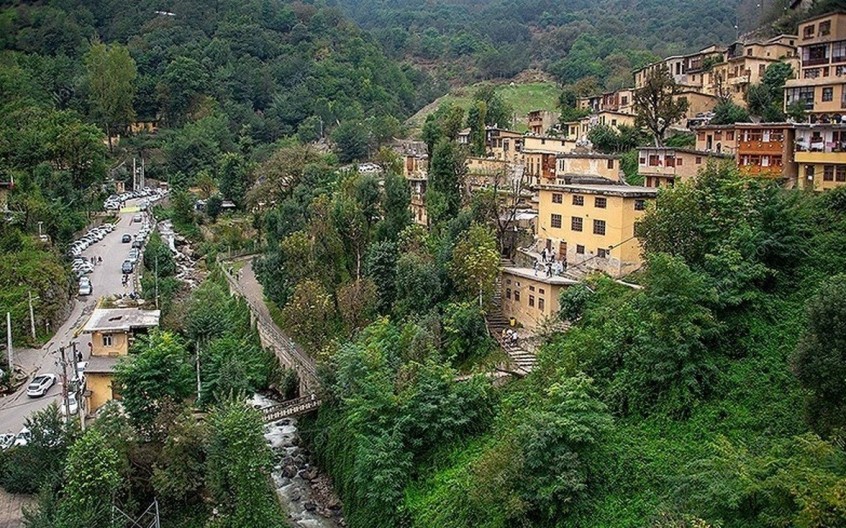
{"x": 523, "y": 97}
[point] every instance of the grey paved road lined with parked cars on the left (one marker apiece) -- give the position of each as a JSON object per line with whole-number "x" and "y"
{"x": 105, "y": 280}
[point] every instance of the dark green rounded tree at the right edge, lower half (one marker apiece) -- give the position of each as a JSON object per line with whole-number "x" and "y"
{"x": 820, "y": 358}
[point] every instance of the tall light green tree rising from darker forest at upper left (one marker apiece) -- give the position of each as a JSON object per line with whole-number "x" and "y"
{"x": 110, "y": 74}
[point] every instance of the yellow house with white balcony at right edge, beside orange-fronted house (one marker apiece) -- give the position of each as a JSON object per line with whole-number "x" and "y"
{"x": 820, "y": 154}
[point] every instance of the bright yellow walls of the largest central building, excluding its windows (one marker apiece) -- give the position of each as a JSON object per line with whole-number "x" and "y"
{"x": 619, "y": 216}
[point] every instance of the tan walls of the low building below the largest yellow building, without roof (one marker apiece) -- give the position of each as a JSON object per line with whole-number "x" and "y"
{"x": 529, "y": 291}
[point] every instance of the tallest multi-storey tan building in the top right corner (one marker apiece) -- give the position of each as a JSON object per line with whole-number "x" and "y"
{"x": 820, "y": 86}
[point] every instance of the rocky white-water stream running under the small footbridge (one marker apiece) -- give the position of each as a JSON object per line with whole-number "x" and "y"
{"x": 305, "y": 492}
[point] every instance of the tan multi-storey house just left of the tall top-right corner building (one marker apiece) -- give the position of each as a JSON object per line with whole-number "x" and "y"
{"x": 745, "y": 63}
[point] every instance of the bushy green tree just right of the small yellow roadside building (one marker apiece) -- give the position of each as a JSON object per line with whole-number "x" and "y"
{"x": 156, "y": 375}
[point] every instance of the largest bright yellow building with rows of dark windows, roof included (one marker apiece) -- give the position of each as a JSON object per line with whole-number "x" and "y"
{"x": 592, "y": 226}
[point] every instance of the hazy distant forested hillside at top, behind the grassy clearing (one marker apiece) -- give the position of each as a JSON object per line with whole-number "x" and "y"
{"x": 606, "y": 39}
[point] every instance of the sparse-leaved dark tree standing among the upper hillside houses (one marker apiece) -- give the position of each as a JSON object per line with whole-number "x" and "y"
{"x": 658, "y": 104}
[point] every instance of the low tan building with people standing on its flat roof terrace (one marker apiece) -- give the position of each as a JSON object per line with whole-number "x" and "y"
{"x": 529, "y": 296}
